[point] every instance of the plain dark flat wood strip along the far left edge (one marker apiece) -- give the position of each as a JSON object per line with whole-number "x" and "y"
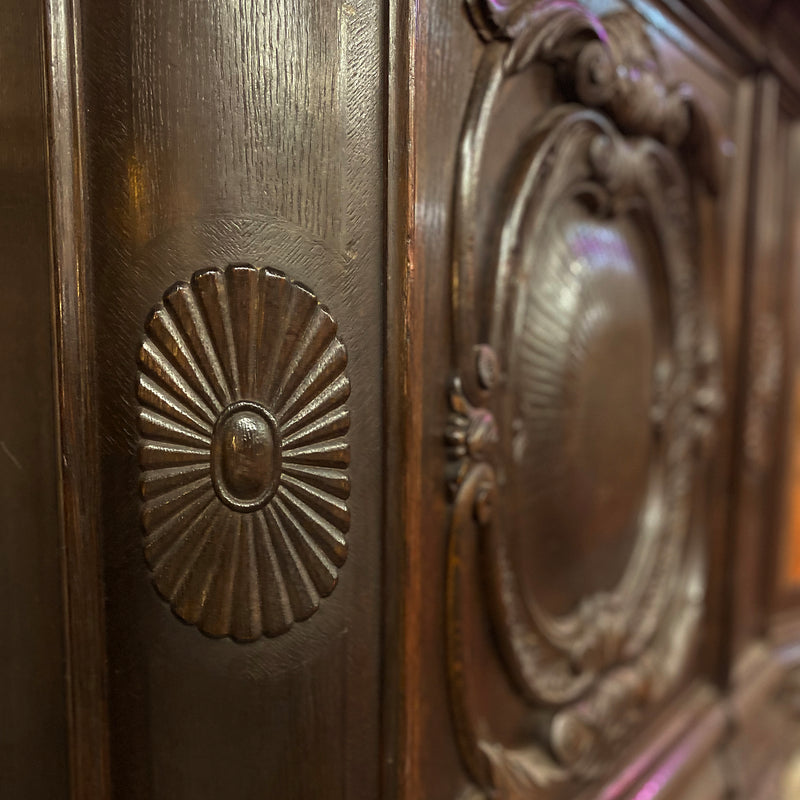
{"x": 34, "y": 761}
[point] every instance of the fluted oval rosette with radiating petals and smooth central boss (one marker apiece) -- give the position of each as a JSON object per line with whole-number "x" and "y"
{"x": 243, "y": 393}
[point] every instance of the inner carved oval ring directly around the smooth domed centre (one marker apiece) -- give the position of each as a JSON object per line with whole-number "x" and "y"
{"x": 569, "y": 652}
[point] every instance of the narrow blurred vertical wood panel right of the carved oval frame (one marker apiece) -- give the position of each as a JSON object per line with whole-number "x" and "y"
{"x": 760, "y": 382}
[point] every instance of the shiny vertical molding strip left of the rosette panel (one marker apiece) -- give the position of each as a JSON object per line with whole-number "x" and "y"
{"x": 73, "y": 346}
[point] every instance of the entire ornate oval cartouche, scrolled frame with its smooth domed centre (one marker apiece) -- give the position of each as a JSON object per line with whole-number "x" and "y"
{"x": 587, "y": 385}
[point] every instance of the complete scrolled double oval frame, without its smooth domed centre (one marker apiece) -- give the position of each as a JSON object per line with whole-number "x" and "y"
{"x": 590, "y": 674}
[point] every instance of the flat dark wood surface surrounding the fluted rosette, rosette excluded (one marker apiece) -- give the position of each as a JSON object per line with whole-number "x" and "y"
{"x": 242, "y": 132}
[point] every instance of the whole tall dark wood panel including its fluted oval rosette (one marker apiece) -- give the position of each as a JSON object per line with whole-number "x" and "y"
{"x": 244, "y": 133}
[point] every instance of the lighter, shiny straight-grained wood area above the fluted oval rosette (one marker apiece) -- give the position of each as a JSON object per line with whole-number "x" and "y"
{"x": 274, "y": 76}
